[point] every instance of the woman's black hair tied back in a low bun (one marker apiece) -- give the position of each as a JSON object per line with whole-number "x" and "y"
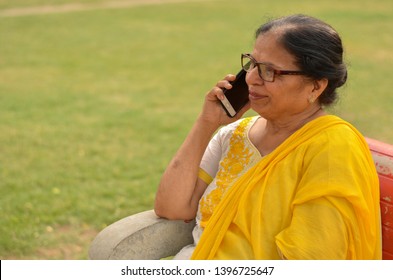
{"x": 317, "y": 49}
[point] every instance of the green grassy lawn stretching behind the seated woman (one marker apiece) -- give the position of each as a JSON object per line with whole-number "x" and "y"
{"x": 93, "y": 104}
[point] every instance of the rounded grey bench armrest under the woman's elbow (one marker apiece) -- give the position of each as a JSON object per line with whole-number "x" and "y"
{"x": 143, "y": 236}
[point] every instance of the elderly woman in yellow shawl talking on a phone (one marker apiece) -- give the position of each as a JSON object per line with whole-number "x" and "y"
{"x": 293, "y": 182}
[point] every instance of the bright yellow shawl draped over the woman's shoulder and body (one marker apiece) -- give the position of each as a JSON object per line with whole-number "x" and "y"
{"x": 316, "y": 196}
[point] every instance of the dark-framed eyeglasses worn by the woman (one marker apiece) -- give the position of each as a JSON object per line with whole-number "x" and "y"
{"x": 266, "y": 72}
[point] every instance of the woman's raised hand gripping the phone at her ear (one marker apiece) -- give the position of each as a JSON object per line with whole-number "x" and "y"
{"x": 213, "y": 113}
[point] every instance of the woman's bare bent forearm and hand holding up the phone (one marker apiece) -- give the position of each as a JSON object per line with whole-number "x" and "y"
{"x": 180, "y": 188}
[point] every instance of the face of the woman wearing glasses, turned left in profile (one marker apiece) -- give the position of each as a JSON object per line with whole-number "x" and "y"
{"x": 288, "y": 96}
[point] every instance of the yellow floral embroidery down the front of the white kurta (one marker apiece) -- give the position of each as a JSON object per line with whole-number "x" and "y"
{"x": 231, "y": 167}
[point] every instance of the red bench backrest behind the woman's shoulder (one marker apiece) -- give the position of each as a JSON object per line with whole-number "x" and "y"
{"x": 383, "y": 157}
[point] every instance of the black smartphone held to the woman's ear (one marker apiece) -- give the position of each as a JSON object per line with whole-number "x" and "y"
{"x": 237, "y": 96}
